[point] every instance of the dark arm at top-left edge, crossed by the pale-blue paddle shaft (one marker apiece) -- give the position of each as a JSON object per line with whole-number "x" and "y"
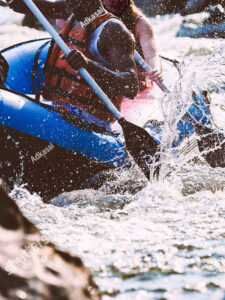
{"x": 51, "y": 9}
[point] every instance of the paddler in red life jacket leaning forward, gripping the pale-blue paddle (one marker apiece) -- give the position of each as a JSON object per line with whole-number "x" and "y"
{"x": 105, "y": 48}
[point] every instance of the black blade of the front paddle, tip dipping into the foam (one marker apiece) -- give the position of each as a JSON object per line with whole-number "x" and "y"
{"x": 141, "y": 146}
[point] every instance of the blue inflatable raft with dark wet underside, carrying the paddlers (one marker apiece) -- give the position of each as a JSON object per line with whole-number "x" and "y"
{"x": 51, "y": 152}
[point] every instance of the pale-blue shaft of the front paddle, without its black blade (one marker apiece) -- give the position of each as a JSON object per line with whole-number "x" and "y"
{"x": 91, "y": 82}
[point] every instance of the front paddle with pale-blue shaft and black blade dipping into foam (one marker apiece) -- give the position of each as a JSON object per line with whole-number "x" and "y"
{"x": 139, "y": 143}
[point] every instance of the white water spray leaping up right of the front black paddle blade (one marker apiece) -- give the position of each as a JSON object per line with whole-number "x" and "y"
{"x": 207, "y": 72}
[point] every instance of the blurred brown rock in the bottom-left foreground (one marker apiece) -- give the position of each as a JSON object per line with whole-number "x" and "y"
{"x": 33, "y": 268}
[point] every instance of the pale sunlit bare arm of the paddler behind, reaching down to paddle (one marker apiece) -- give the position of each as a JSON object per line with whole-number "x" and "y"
{"x": 145, "y": 34}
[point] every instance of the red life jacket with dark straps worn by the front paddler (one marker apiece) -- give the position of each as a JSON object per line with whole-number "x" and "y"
{"x": 66, "y": 86}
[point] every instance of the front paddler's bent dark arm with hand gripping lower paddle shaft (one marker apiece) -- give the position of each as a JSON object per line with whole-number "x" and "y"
{"x": 116, "y": 45}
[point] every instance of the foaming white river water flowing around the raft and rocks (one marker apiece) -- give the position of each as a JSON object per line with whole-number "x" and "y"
{"x": 167, "y": 240}
